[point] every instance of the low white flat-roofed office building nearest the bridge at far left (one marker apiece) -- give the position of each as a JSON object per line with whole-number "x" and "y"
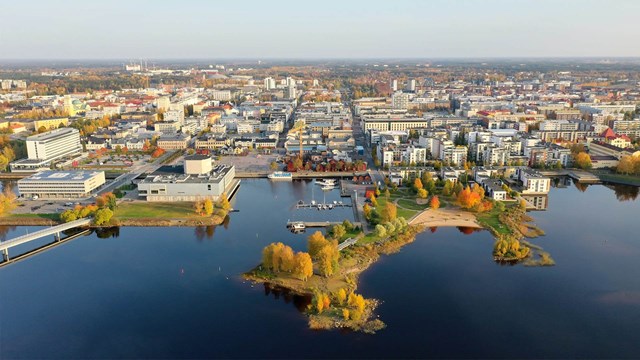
{"x": 51, "y": 184}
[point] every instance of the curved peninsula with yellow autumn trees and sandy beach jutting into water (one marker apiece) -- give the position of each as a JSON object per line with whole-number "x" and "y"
{"x": 330, "y": 269}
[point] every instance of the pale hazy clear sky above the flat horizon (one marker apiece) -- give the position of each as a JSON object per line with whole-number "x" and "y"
{"x": 303, "y": 29}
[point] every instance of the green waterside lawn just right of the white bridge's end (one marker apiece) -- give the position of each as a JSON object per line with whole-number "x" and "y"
{"x": 138, "y": 210}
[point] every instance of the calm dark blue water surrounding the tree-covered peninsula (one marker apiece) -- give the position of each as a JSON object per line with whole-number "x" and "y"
{"x": 175, "y": 292}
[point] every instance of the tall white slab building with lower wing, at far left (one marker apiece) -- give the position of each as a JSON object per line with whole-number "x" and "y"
{"x": 44, "y": 148}
